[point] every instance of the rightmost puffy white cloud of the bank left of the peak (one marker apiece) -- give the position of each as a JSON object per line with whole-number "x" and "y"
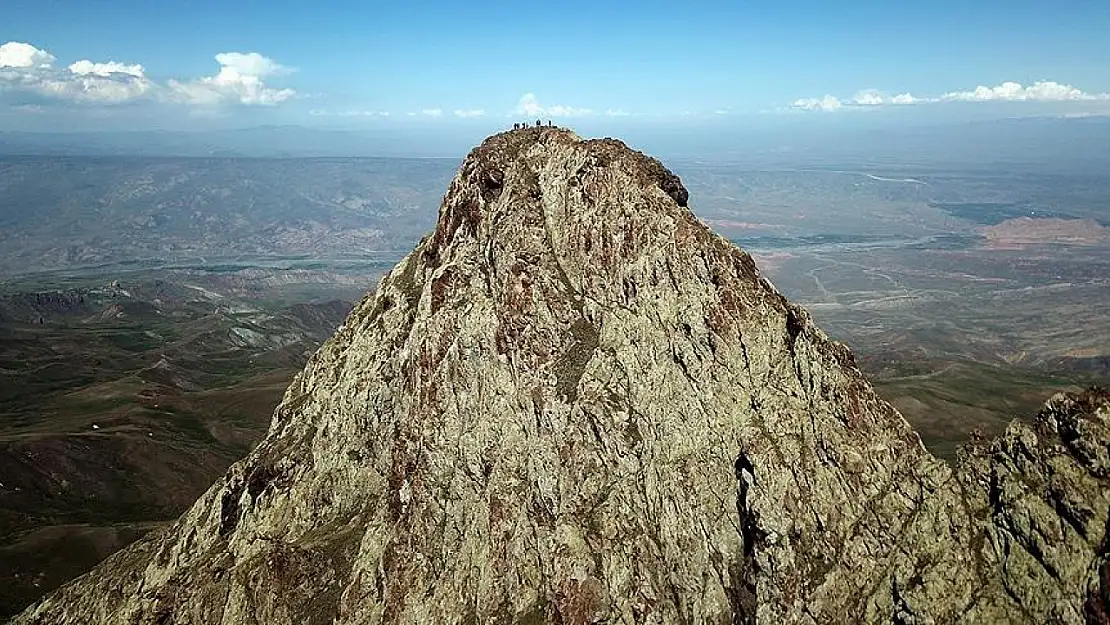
{"x": 240, "y": 80}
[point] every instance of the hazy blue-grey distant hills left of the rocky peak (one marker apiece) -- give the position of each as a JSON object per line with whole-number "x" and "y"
{"x": 87, "y": 211}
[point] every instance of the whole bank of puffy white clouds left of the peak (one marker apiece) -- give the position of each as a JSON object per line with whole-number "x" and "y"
{"x": 28, "y": 73}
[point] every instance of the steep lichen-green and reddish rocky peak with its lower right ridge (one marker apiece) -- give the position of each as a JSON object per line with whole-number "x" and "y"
{"x": 574, "y": 404}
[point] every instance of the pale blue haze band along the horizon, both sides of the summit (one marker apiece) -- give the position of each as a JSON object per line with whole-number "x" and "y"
{"x": 1057, "y": 145}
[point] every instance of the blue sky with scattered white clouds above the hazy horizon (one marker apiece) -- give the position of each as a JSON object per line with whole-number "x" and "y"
{"x": 208, "y": 64}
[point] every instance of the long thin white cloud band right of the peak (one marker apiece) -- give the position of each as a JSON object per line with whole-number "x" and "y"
{"x": 1044, "y": 92}
